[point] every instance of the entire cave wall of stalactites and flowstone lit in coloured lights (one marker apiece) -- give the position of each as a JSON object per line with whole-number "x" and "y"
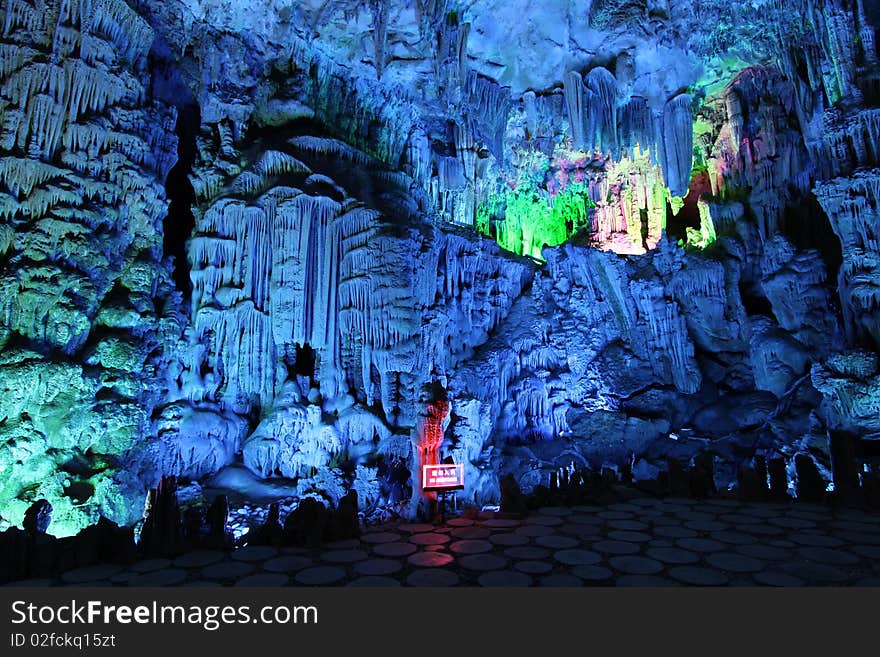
{"x": 624, "y": 234}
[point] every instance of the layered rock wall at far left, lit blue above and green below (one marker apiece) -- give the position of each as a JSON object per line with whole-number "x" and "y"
{"x": 85, "y": 302}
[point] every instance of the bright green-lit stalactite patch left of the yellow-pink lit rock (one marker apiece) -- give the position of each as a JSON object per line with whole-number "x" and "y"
{"x": 527, "y": 218}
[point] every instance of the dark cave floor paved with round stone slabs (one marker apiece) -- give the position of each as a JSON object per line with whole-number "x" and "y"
{"x": 639, "y": 542}
